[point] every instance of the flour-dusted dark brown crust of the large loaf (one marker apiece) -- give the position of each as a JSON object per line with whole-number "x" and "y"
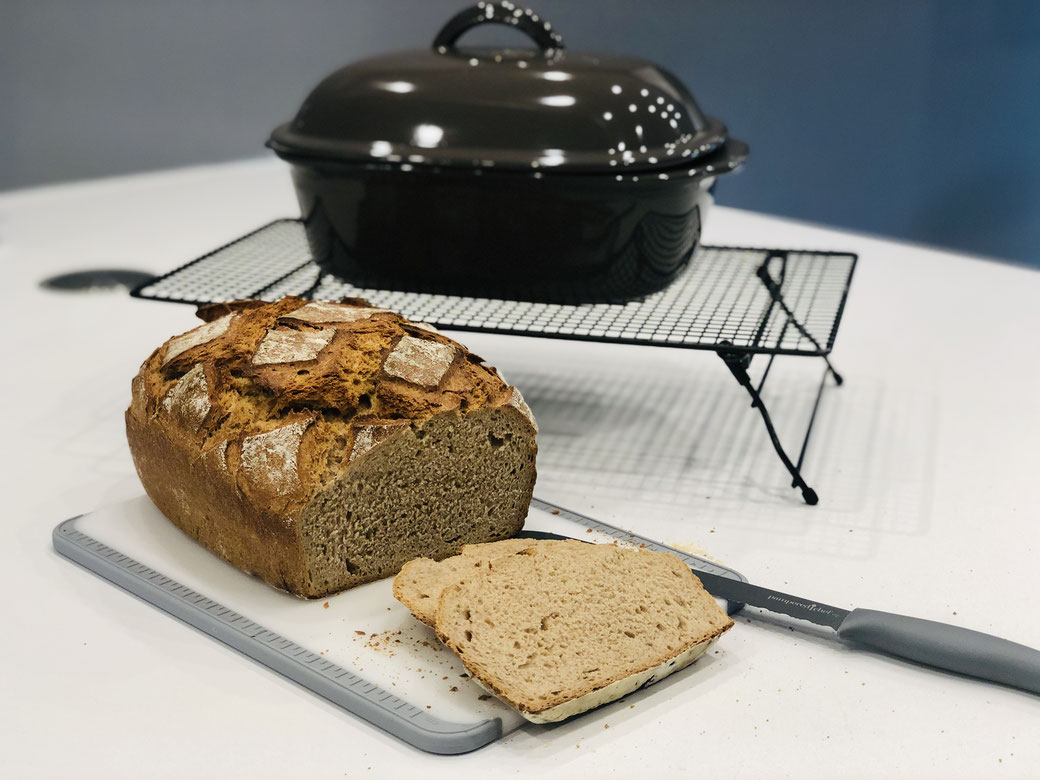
{"x": 242, "y": 427}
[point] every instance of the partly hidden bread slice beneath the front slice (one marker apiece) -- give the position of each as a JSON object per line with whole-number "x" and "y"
{"x": 421, "y": 583}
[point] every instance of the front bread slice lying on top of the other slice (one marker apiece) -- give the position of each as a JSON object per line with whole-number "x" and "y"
{"x": 560, "y": 629}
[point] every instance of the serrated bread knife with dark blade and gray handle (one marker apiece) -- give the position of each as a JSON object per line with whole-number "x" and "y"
{"x": 939, "y": 645}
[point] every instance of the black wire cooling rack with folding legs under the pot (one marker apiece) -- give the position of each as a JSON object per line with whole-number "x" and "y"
{"x": 737, "y": 302}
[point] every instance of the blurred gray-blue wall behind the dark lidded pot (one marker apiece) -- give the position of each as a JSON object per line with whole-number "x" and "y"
{"x": 919, "y": 119}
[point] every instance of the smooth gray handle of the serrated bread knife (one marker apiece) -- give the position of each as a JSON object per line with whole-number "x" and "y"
{"x": 947, "y": 647}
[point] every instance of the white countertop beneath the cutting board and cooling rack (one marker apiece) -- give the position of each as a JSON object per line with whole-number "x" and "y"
{"x": 926, "y": 463}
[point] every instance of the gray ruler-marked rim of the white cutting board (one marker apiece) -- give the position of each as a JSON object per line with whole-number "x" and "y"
{"x": 343, "y": 687}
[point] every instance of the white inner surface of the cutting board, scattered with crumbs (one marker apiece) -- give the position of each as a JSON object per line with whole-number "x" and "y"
{"x": 365, "y": 630}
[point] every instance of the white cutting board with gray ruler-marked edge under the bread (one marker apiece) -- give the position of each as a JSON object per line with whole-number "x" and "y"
{"x": 361, "y": 649}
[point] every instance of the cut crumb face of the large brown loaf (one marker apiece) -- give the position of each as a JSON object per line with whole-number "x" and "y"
{"x": 423, "y": 492}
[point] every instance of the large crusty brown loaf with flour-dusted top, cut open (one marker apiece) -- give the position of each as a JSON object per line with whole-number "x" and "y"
{"x": 323, "y": 446}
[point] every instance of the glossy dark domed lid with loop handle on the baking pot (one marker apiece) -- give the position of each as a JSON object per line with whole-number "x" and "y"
{"x": 543, "y": 109}
